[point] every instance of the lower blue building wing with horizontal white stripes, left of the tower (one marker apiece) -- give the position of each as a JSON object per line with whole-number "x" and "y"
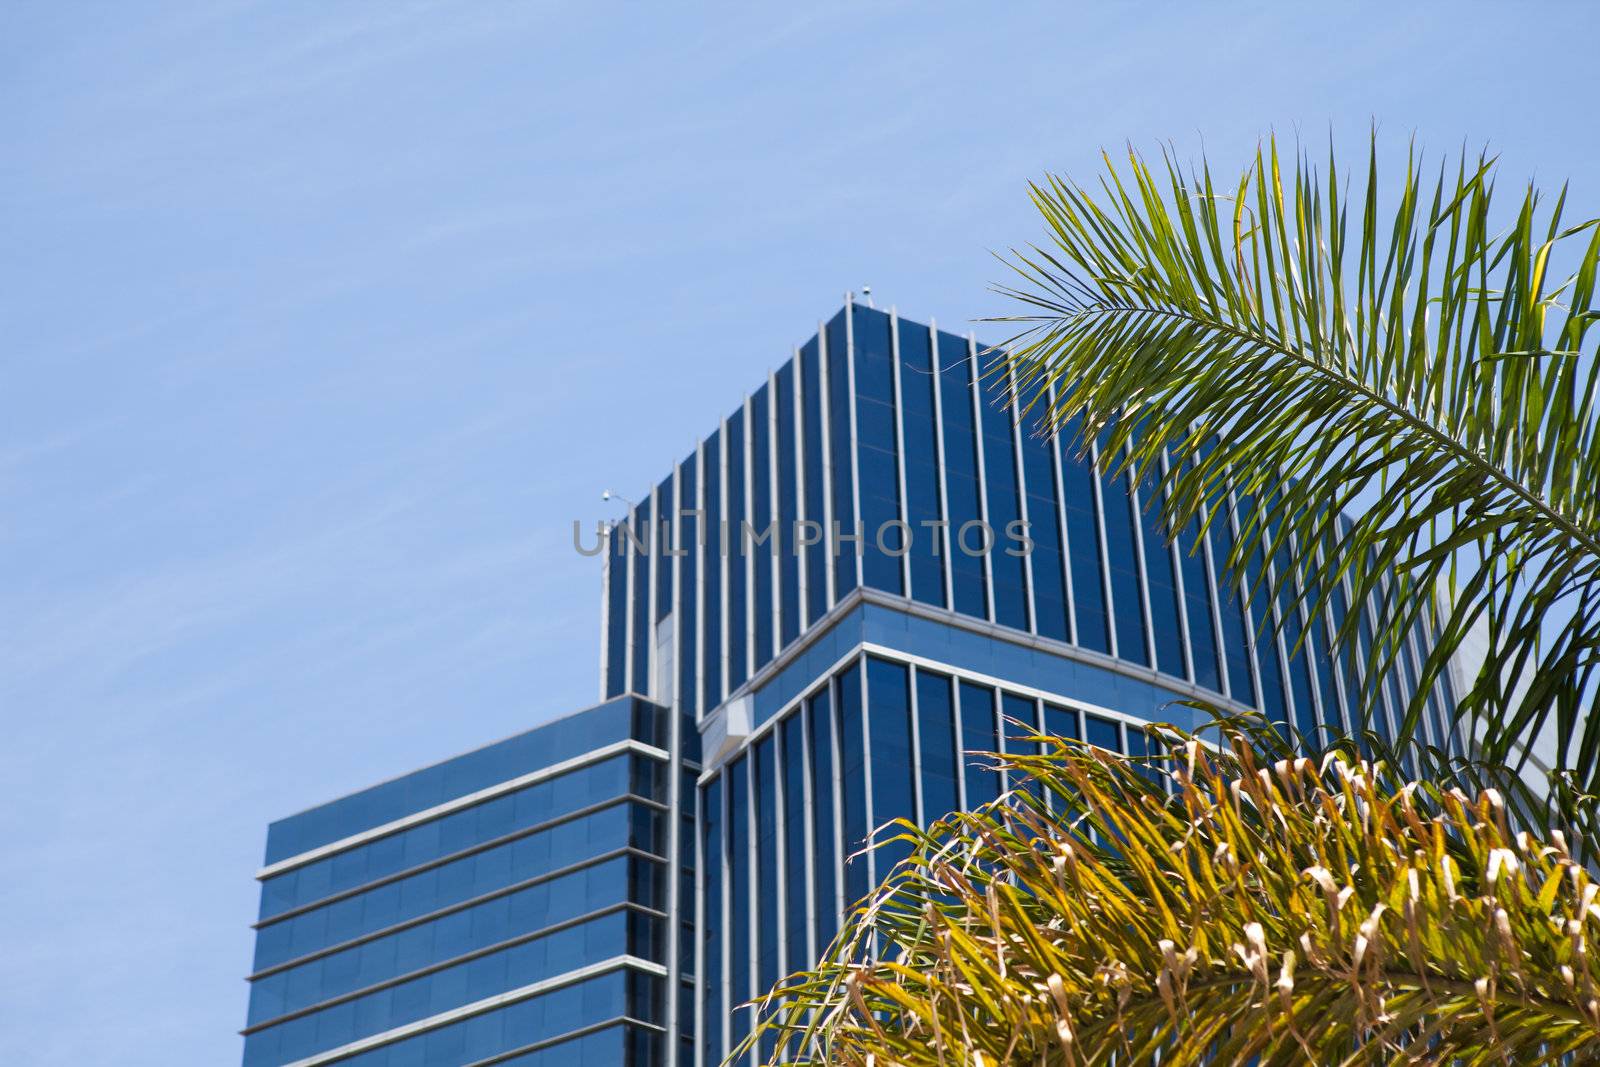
{"x": 511, "y": 906}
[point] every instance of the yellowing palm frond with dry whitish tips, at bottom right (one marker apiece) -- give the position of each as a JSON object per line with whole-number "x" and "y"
{"x": 1214, "y": 908}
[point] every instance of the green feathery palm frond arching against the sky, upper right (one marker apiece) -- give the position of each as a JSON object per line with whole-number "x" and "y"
{"x": 1407, "y": 394}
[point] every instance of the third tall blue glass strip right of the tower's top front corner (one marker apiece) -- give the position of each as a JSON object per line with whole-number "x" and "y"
{"x": 958, "y": 396}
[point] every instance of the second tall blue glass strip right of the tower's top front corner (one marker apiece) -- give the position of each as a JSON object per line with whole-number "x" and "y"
{"x": 924, "y": 492}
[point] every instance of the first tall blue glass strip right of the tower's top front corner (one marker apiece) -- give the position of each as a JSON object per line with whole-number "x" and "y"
{"x": 878, "y": 452}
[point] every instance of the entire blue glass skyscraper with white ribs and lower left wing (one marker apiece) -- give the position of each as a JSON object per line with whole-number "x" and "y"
{"x": 870, "y": 572}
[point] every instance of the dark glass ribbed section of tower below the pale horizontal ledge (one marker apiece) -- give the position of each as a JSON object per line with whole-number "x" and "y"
{"x": 884, "y": 735}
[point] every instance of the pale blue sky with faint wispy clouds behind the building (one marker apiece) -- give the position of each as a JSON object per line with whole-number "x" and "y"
{"x": 319, "y": 324}
